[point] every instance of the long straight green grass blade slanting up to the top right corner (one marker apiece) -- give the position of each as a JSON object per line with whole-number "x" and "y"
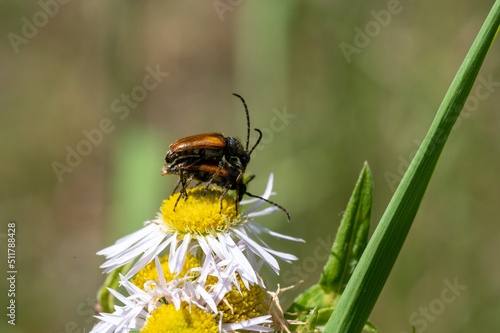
{"x": 365, "y": 285}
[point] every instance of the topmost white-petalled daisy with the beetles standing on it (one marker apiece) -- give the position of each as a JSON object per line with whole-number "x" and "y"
{"x": 226, "y": 236}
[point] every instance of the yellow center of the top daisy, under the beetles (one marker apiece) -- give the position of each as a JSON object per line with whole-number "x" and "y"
{"x": 200, "y": 213}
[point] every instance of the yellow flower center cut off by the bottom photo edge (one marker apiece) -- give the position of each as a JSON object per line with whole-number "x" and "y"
{"x": 166, "y": 319}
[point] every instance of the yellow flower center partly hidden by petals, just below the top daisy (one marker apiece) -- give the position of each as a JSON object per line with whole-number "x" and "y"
{"x": 150, "y": 273}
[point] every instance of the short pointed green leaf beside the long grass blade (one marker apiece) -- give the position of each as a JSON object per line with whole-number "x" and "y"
{"x": 352, "y": 236}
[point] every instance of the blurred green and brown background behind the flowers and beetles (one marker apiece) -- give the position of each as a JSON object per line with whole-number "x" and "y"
{"x": 323, "y": 115}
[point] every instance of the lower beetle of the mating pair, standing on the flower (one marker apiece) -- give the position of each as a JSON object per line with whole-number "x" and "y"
{"x": 229, "y": 177}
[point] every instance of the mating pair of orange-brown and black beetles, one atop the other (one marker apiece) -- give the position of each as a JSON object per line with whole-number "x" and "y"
{"x": 214, "y": 159}
